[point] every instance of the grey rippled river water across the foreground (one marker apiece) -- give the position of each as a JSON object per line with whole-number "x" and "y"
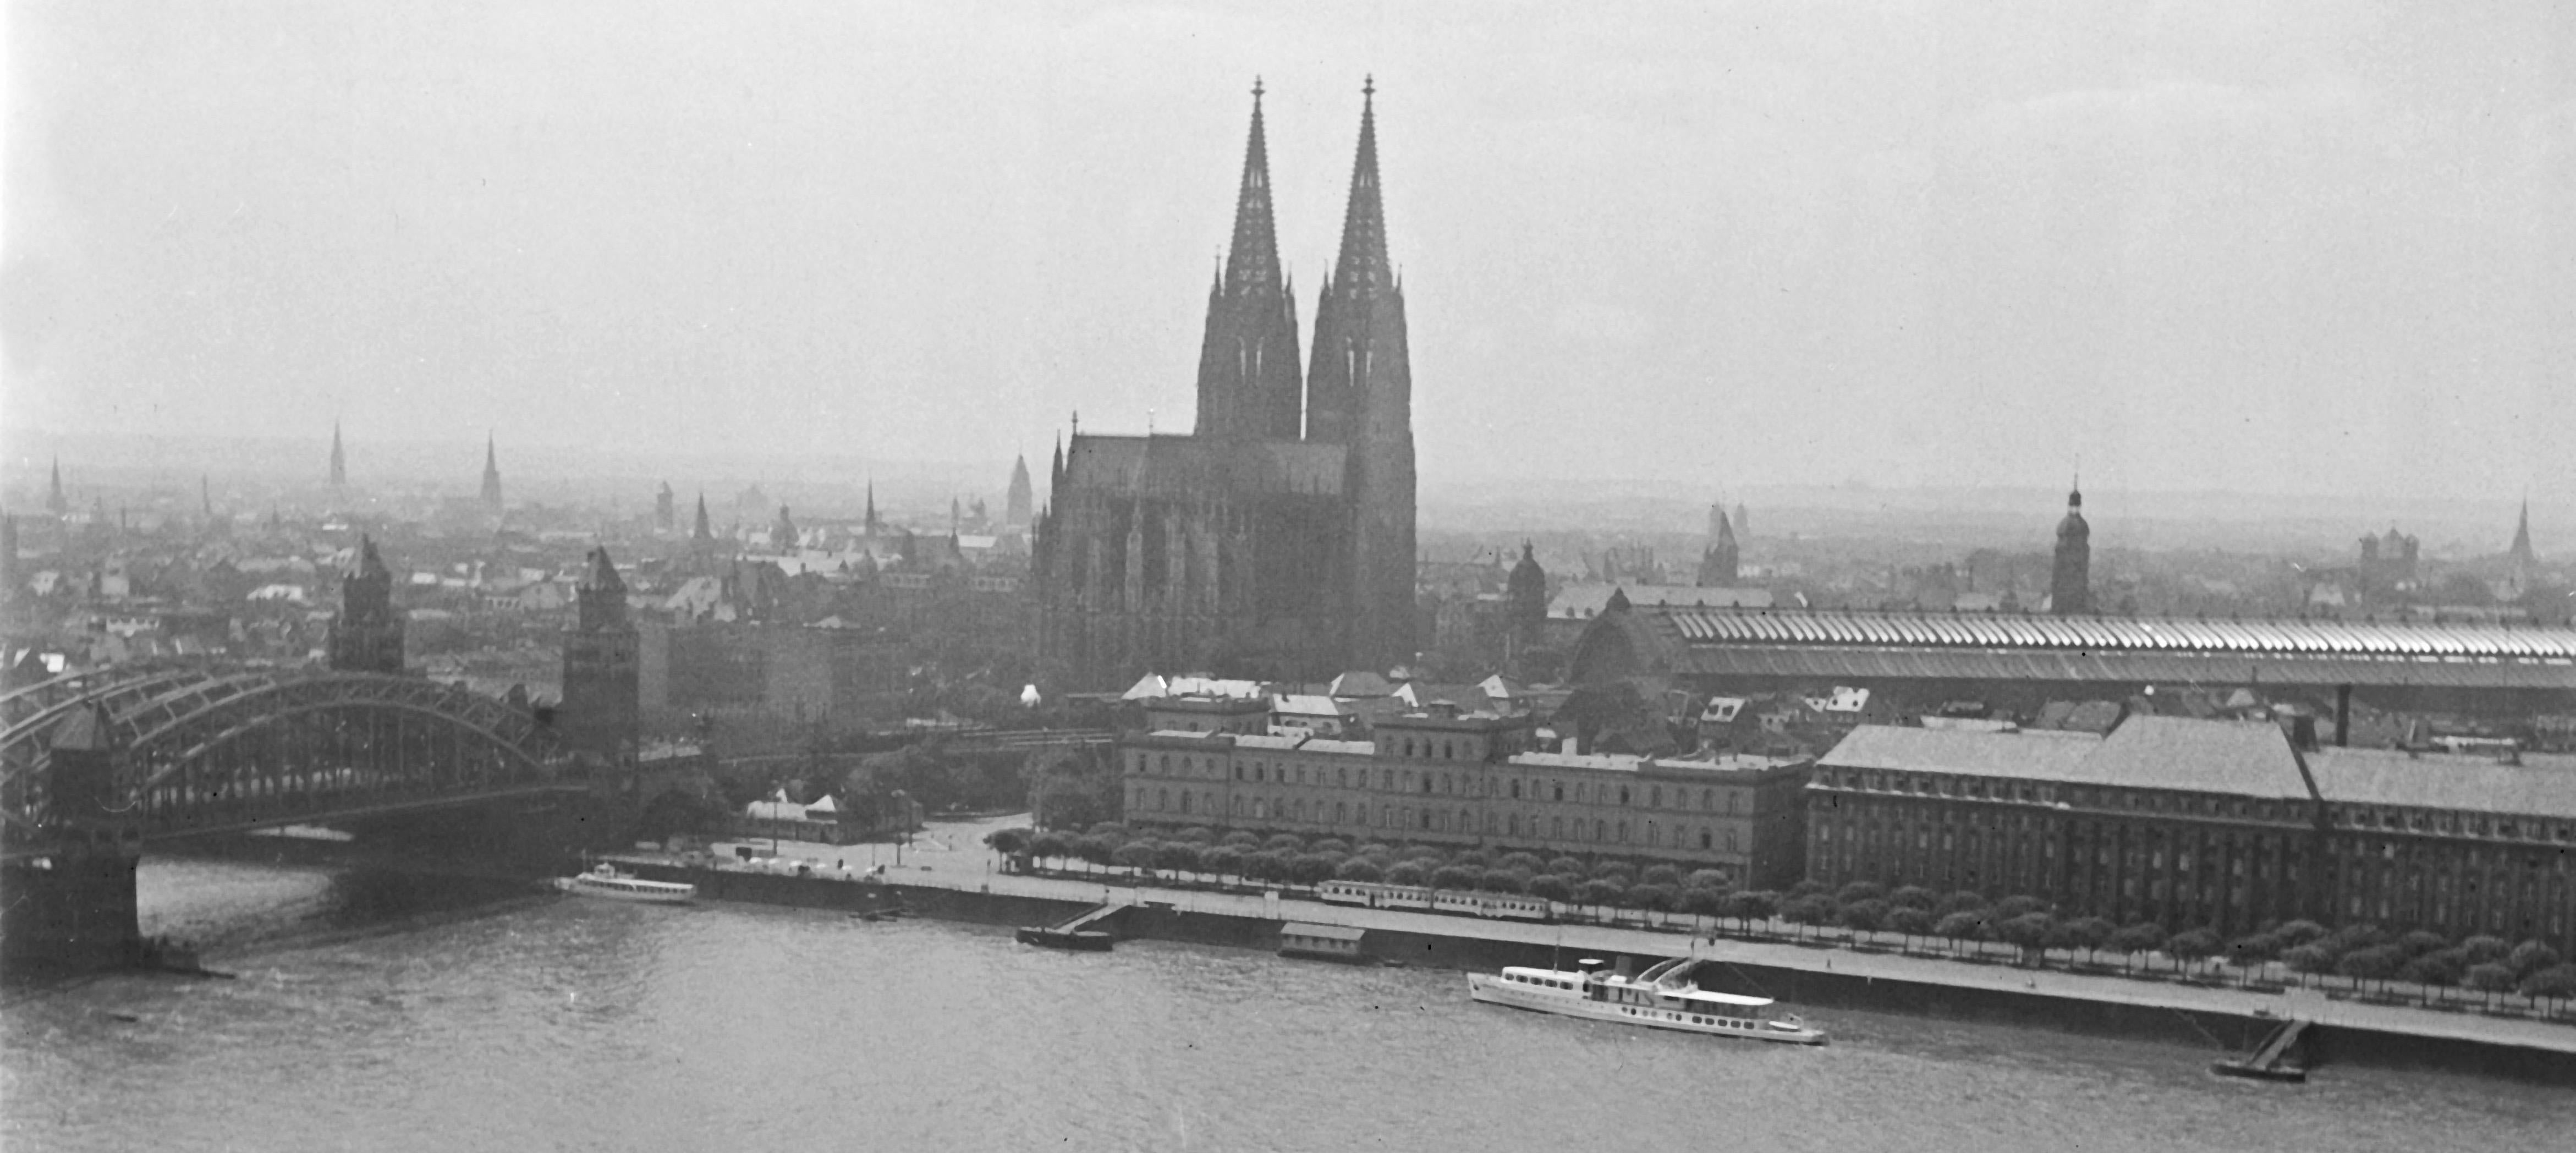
{"x": 367, "y": 1023}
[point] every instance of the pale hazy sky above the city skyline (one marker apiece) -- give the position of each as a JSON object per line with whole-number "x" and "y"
{"x": 2235, "y": 243}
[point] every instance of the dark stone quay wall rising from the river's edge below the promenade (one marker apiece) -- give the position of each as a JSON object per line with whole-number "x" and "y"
{"x": 1810, "y": 979}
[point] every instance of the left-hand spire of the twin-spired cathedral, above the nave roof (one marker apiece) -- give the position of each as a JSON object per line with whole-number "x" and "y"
{"x": 1248, "y": 374}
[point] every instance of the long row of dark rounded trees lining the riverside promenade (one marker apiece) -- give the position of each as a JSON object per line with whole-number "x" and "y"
{"x": 2479, "y": 974}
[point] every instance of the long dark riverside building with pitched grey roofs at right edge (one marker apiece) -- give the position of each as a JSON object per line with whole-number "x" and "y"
{"x": 2201, "y": 825}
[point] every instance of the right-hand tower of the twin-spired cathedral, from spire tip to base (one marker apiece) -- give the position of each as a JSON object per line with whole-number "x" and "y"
{"x": 1361, "y": 395}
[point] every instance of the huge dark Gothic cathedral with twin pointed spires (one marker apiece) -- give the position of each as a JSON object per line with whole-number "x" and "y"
{"x": 1279, "y": 539}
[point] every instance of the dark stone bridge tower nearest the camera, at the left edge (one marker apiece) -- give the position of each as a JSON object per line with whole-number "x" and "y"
{"x": 73, "y": 910}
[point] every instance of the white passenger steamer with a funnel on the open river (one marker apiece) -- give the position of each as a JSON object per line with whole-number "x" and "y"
{"x": 1660, "y": 1000}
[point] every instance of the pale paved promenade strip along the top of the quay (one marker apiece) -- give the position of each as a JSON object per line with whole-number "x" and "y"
{"x": 954, "y": 858}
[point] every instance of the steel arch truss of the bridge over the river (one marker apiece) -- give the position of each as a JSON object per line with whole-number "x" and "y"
{"x": 207, "y": 750}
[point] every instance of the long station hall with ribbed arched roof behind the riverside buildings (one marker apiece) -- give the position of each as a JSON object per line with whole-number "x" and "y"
{"x": 2018, "y": 663}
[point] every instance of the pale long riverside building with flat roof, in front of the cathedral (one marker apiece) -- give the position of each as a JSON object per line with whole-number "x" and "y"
{"x": 1470, "y": 779}
